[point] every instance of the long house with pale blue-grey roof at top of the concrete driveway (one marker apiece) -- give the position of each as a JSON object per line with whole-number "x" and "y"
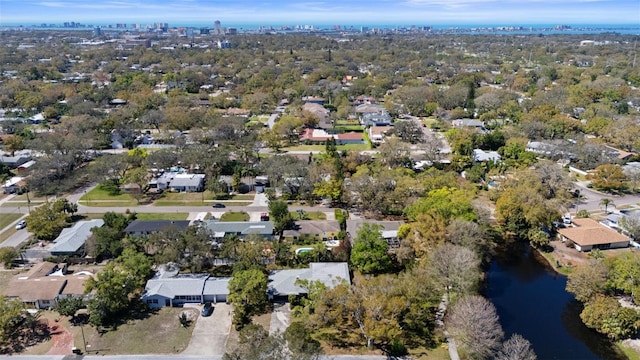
{"x": 170, "y": 288}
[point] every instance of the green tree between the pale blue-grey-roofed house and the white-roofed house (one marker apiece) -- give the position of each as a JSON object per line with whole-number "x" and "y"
{"x": 248, "y": 295}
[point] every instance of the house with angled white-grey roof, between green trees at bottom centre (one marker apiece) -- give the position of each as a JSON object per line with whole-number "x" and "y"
{"x": 282, "y": 283}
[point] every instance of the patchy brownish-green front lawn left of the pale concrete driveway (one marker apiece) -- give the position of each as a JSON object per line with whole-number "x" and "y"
{"x": 159, "y": 333}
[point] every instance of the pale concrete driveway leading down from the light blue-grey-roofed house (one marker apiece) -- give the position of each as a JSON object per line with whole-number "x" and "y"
{"x": 210, "y": 333}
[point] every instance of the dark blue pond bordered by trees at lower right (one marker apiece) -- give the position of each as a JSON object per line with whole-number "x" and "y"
{"x": 531, "y": 300}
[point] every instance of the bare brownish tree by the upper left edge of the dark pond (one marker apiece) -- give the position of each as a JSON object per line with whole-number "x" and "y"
{"x": 455, "y": 267}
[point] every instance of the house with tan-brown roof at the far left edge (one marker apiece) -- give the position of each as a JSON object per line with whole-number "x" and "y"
{"x": 45, "y": 283}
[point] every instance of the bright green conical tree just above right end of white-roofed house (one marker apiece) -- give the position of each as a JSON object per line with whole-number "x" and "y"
{"x": 370, "y": 253}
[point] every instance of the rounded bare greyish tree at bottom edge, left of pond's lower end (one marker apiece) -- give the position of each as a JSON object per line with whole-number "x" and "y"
{"x": 474, "y": 323}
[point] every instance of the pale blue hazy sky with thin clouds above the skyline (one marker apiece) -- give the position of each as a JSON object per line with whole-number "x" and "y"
{"x": 341, "y": 12}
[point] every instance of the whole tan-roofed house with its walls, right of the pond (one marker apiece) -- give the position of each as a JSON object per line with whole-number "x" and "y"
{"x": 587, "y": 234}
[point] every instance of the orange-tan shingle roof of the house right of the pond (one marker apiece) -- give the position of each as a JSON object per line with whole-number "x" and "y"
{"x": 590, "y": 232}
